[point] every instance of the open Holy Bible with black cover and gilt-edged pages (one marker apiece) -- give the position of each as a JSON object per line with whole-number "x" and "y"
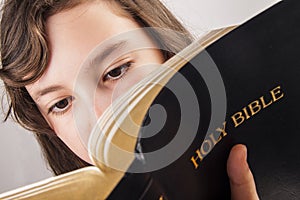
{"x": 235, "y": 85}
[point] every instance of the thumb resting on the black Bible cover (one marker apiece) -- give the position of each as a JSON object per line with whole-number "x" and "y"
{"x": 241, "y": 179}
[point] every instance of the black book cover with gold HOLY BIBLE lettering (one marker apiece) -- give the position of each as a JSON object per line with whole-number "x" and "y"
{"x": 259, "y": 96}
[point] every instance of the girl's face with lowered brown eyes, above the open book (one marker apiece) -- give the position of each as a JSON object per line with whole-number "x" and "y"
{"x": 73, "y": 34}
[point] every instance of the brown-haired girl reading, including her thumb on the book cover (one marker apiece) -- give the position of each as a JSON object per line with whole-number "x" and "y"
{"x": 44, "y": 42}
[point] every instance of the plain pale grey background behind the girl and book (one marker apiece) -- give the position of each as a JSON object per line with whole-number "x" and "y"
{"x": 21, "y": 161}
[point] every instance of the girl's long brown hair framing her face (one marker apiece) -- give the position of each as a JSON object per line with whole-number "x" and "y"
{"x": 25, "y": 53}
